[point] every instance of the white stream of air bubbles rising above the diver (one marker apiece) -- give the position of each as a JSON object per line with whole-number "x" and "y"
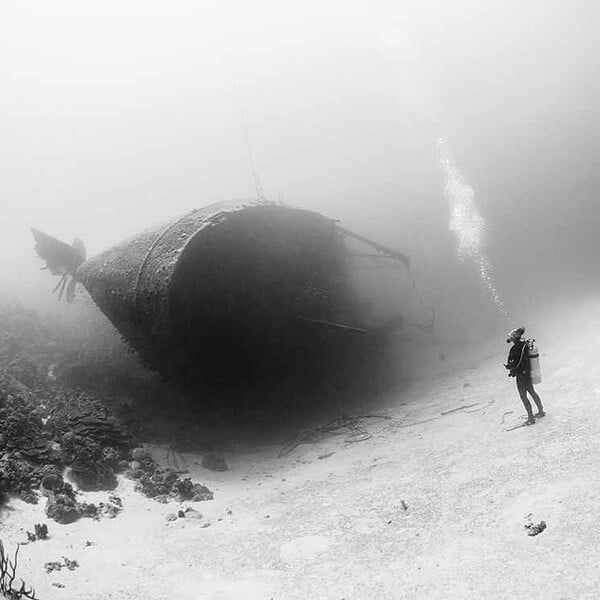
{"x": 467, "y": 224}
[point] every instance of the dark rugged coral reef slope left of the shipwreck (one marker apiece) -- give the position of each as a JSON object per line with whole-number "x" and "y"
{"x": 47, "y": 427}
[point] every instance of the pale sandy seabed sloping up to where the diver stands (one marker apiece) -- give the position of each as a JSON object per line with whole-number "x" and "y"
{"x": 432, "y": 505}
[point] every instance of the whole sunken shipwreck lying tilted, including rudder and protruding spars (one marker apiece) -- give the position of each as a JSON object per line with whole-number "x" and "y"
{"x": 238, "y": 292}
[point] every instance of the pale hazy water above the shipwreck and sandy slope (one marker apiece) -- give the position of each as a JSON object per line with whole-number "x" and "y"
{"x": 122, "y": 115}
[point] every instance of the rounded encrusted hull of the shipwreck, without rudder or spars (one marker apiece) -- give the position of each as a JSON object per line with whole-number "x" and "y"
{"x": 137, "y": 286}
